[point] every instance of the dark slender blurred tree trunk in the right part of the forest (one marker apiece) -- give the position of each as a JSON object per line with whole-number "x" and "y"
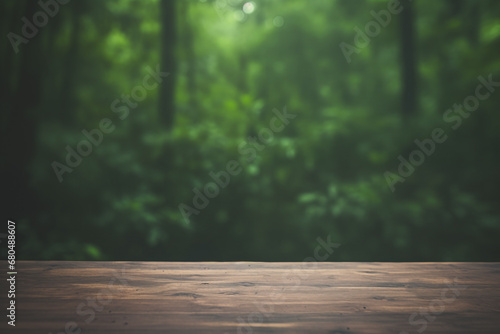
{"x": 408, "y": 68}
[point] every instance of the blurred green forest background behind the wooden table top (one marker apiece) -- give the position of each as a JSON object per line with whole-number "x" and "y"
{"x": 230, "y": 64}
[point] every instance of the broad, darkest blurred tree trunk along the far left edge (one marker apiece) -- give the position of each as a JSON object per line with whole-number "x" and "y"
{"x": 18, "y": 142}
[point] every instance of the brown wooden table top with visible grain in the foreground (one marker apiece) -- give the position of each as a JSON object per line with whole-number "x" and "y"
{"x": 254, "y": 297}
